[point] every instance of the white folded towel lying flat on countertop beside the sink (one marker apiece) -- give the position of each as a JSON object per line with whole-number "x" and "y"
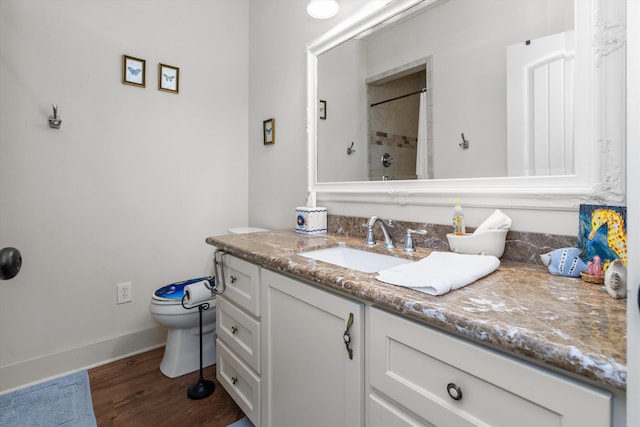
{"x": 440, "y": 272}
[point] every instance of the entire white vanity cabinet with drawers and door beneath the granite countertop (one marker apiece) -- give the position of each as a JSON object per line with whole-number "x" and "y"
{"x": 292, "y": 354}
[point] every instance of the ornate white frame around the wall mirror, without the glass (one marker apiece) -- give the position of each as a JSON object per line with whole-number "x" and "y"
{"x": 600, "y": 118}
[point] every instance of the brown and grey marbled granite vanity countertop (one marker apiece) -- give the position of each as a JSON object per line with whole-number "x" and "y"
{"x": 519, "y": 309}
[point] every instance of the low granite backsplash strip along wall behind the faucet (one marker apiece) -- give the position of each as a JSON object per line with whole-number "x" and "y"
{"x": 520, "y": 246}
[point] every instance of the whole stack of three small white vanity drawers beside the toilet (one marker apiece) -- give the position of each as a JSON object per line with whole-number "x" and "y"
{"x": 238, "y": 329}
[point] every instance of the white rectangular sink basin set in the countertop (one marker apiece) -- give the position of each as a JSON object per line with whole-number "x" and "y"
{"x": 367, "y": 262}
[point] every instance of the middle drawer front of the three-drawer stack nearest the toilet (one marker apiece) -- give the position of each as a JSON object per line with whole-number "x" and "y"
{"x": 239, "y": 331}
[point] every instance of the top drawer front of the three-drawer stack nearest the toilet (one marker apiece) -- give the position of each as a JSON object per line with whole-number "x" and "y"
{"x": 242, "y": 281}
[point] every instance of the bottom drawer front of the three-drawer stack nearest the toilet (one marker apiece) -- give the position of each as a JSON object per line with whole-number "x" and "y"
{"x": 237, "y": 379}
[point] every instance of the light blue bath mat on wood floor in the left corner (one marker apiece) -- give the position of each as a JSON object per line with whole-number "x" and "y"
{"x": 64, "y": 401}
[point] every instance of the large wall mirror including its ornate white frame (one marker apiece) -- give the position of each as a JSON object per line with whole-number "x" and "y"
{"x": 516, "y": 104}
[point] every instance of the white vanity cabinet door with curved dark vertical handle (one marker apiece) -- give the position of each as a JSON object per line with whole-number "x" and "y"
{"x": 308, "y": 374}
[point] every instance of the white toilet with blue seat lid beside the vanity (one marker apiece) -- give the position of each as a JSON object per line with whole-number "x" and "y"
{"x": 182, "y": 350}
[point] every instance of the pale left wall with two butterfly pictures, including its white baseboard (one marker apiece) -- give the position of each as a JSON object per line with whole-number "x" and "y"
{"x": 133, "y": 182}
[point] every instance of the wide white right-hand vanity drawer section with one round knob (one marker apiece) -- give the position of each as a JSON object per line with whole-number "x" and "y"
{"x": 421, "y": 376}
